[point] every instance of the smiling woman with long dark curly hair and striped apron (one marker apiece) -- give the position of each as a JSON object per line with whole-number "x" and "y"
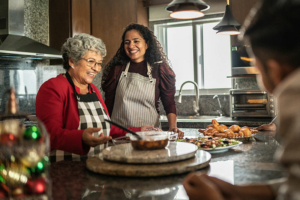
{"x": 136, "y": 78}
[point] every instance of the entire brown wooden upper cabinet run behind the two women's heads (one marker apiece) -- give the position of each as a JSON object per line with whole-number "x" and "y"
{"x": 105, "y": 19}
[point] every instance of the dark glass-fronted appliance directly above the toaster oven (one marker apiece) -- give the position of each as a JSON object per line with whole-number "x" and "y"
{"x": 241, "y": 61}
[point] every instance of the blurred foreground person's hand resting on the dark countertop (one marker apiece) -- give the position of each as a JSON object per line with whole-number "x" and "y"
{"x": 198, "y": 186}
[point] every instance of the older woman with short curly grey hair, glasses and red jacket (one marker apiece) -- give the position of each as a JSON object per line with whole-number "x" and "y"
{"x": 72, "y": 108}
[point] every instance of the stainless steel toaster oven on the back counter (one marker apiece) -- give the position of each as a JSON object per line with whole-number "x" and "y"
{"x": 251, "y": 103}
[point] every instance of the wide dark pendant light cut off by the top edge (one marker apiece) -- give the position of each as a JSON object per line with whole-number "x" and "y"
{"x": 187, "y": 9}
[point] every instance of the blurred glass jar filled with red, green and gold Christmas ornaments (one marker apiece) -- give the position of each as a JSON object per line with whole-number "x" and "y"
{"x": 24, "y": 145}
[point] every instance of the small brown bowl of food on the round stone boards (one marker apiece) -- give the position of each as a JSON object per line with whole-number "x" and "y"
{"x": 151, "y": 140}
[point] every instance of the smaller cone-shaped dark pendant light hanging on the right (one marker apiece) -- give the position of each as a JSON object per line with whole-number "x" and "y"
{"x": 228, "y": 25}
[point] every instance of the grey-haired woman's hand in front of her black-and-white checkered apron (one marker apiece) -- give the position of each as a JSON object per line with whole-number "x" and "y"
{"x": 92, "y": 141}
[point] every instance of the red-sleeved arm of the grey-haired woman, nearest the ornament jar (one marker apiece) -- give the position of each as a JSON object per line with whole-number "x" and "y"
{"x": 50, "y": 103}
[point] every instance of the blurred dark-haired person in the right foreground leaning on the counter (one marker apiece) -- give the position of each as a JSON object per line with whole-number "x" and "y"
{"x": 273, "y": 34}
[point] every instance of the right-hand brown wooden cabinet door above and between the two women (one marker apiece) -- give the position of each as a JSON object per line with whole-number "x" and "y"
{"x": 109, "y": 18}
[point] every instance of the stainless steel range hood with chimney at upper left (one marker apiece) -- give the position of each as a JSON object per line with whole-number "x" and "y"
{"x": 13, "y": 42}
